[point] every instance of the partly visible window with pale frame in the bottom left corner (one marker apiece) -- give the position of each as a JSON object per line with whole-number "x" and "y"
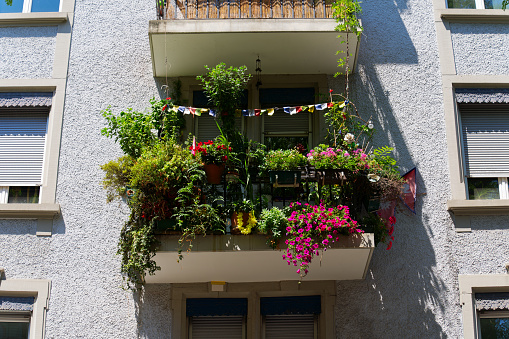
{"x": 23, "y": 305}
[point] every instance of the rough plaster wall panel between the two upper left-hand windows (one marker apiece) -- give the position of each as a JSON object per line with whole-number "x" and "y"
{"x": 27, "y": 52}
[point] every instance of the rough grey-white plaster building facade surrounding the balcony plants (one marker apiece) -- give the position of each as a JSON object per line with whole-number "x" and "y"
{"x": 433, "y": 75}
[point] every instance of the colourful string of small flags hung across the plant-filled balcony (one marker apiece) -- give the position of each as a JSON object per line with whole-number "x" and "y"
{"x": 256, "y": 111}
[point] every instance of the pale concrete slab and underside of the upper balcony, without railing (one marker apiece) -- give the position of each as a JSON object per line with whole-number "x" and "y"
{"x": 285, "y": 46}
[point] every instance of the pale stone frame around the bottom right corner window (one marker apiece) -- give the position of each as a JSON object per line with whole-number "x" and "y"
{"x": 468, "y": 286}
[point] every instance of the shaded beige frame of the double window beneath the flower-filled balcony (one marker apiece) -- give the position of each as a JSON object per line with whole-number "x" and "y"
{"x": 253, "y": 292}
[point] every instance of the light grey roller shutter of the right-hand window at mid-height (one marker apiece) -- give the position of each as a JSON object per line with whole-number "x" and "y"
{"x": 485, "y": 134}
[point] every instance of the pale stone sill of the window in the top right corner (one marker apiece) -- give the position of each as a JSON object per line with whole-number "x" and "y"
{"x": 475, "y": 15}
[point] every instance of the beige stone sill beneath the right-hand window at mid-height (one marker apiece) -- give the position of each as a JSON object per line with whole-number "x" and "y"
{"x": 479, "y": 207}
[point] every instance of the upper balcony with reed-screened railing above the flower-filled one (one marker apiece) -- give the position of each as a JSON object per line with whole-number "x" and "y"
{"x": 289, "y": 37}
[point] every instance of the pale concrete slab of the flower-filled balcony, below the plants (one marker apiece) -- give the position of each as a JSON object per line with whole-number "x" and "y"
{"x": 248, "y": 259}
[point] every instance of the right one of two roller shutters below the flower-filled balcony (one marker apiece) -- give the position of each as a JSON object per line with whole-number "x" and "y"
{"x": 292, "y": 326}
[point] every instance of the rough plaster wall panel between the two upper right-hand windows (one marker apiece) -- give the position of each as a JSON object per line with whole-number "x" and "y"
{"x": 480, "y": 48}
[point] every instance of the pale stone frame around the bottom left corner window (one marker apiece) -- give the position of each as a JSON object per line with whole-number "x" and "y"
{"x": 38, "y": 288}
